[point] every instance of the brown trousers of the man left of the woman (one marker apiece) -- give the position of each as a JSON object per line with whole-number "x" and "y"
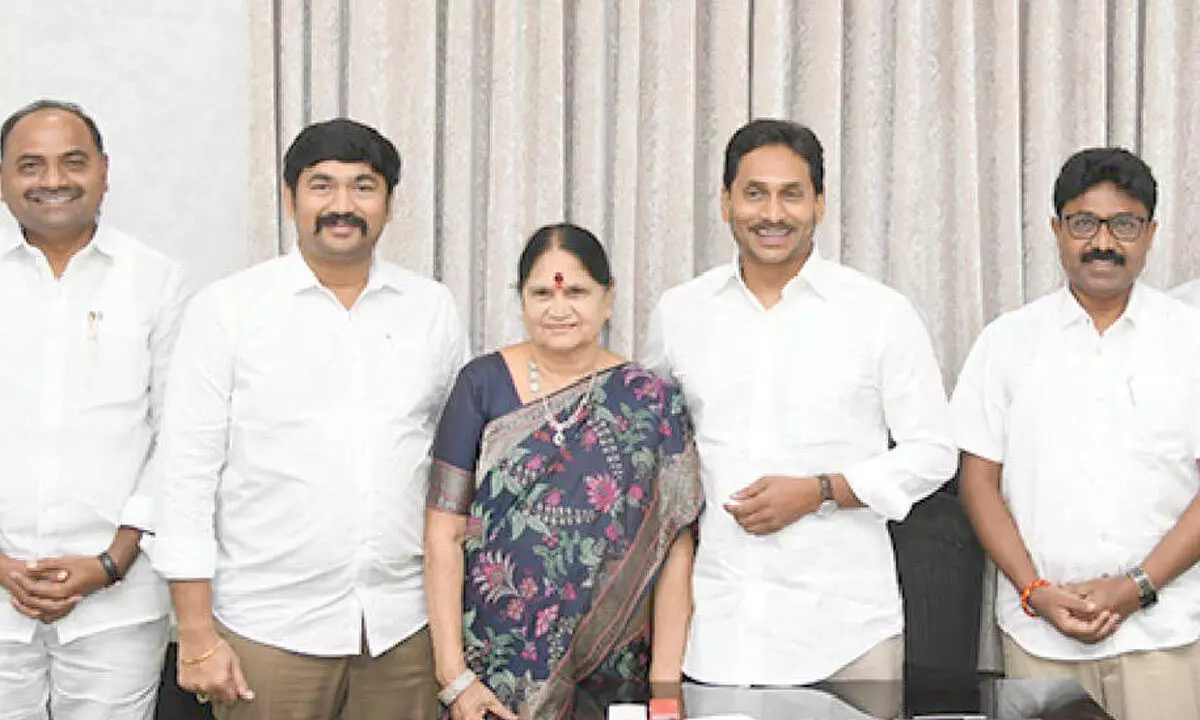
{"x": 397, "y": 686}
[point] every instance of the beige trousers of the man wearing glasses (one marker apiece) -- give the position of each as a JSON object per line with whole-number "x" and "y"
{"x": 1147, "y": 686}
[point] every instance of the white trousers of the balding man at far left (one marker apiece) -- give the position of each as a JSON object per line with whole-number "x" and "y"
{"x": 107, "y": 676}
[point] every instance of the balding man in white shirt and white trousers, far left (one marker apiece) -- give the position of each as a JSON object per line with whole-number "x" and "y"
{"x": 89, "y": 316}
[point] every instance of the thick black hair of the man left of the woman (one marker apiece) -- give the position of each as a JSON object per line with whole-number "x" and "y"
{"x": 345, "y": 141}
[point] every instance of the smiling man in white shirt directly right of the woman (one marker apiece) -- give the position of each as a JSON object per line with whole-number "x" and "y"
{"x": 796, "y": 370}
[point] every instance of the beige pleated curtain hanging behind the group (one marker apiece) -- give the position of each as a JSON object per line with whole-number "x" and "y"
{"x": 945, "y": 124}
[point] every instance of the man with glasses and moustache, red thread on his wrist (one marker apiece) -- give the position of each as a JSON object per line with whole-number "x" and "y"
{"x": 1079, "y": 427}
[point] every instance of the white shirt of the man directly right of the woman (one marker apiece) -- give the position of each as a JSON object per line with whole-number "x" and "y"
{"x": 812, "y": 386}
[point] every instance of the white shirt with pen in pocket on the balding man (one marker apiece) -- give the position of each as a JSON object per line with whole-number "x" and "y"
{"x": 83, "y": 363}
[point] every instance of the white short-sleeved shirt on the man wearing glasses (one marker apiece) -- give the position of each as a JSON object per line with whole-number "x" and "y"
{"x": 1099, "y": 437}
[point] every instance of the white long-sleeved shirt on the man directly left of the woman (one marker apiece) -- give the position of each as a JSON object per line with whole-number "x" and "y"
{"x": 296, "y": 445}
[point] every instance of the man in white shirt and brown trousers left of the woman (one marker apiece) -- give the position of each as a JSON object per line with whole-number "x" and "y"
{"x": 296, "y": 440}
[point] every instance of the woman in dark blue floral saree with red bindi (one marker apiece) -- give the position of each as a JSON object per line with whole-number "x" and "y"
{"x": 565, "y": 485}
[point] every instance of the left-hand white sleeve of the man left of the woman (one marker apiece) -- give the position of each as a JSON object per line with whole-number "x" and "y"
{"x": 194, "y": 442}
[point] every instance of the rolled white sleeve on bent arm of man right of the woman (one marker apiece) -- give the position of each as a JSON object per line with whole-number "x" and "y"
{"x": 917, "y": 416}
